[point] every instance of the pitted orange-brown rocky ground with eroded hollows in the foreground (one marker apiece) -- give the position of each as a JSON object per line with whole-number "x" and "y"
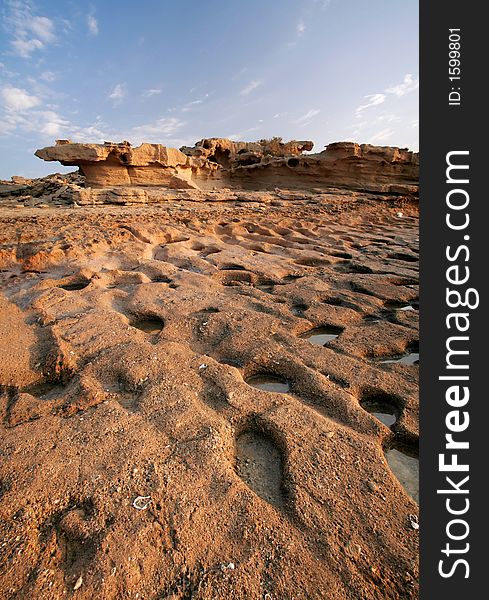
{"x": 139, "y": 461}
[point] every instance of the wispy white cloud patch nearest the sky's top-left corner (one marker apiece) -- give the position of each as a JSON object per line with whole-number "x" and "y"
{"x": 30, "y": 32}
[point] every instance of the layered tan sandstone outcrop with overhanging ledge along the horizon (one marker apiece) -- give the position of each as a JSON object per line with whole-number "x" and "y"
{"x": 216, "y": 163}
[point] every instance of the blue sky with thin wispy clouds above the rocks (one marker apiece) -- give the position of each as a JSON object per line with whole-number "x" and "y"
{"x": 175, "y": 72}
